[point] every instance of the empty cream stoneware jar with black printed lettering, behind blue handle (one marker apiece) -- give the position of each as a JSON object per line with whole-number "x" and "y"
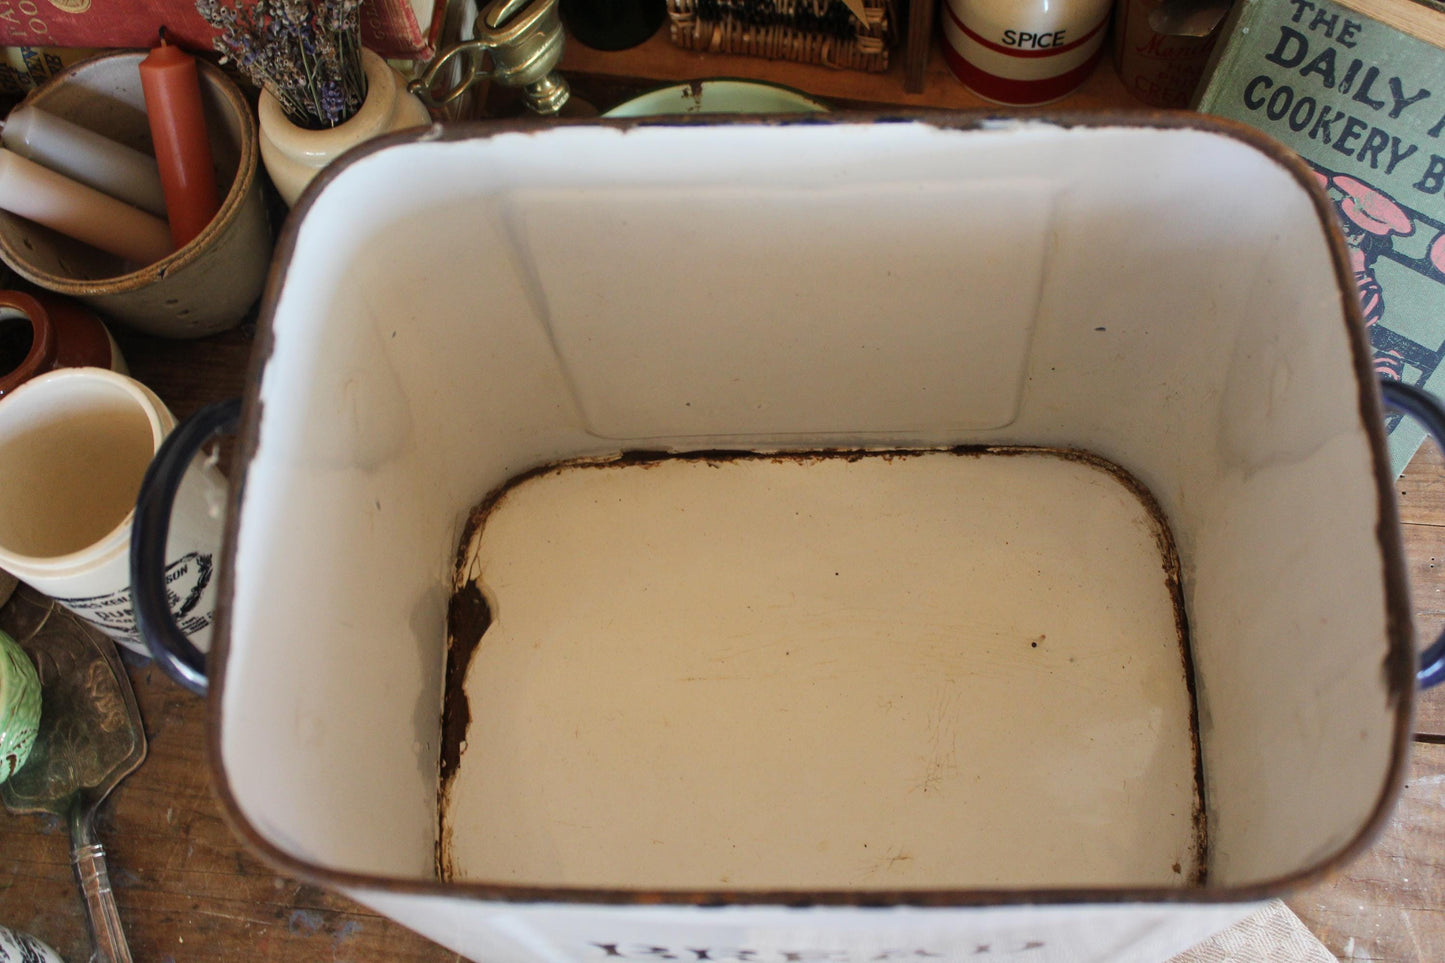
{"x": 74, "y": 449}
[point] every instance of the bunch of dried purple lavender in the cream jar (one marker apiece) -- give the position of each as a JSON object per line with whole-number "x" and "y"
{"x": 306, "y": 53}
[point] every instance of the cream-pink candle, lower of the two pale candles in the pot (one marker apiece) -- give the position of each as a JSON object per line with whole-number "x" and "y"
{"x": 79, "y": 212}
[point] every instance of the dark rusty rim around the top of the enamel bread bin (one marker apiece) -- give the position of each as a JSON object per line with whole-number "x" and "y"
{"x": 1398, "y": 669}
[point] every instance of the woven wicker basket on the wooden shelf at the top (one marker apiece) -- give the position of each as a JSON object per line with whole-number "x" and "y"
{"x": 808, "y": 31}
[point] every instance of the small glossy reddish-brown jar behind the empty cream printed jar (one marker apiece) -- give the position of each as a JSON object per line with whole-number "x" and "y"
{"x": 41, "y": 333}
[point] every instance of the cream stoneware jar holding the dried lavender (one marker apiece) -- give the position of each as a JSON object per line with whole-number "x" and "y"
{"x": 294, "y": 155}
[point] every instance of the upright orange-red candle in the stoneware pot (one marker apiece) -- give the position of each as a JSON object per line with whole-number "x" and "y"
{"x": 173, "y": 90}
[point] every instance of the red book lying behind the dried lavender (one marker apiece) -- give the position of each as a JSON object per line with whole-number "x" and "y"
{"x": 400, "y": 30}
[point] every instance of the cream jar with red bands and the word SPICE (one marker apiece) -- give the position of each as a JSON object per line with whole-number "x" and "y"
{"x": 1024, "y": 51}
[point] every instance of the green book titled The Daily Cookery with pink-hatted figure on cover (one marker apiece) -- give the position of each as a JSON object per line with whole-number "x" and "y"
{"x": 1358, "y": 89}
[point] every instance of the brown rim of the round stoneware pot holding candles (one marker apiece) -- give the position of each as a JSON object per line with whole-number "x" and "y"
{"x": 248, "y": 160}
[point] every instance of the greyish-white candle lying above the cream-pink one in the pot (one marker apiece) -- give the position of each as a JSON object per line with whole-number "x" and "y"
{"x": 87, "y": 157}
